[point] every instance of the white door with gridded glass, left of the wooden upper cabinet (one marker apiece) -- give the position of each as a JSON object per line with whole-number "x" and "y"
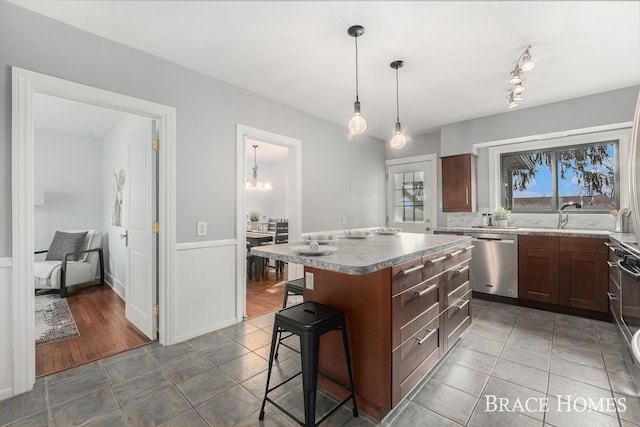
{"x": 411, "y": 196}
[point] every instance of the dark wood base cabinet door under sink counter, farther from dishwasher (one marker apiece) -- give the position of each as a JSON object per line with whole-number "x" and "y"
{"x": 584, "y": 274}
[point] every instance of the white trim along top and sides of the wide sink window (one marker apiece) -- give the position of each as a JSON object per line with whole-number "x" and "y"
{"x": 622, "y": 134}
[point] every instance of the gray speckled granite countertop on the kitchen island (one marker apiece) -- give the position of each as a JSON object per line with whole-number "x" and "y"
{"x": 364, "y": 256}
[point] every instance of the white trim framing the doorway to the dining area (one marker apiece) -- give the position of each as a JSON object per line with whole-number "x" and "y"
{"x": 294, "y": 200}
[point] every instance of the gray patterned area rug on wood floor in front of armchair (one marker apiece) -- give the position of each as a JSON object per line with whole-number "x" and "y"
{"x": 54, "y": 321}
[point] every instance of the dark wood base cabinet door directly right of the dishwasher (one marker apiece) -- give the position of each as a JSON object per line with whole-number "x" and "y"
{"x": 538, "y": 269}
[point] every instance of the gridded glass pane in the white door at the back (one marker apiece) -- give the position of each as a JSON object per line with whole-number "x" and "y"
{"x": 408, "y": 199}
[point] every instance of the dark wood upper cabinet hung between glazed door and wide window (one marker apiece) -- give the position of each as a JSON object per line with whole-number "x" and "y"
{"x": 459, "y": 183}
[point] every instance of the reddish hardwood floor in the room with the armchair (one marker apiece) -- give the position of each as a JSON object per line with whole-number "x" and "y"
{"x": 104, "y": 331}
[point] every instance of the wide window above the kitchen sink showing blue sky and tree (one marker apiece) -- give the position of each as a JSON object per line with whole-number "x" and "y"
{"x": 541, "y": 181}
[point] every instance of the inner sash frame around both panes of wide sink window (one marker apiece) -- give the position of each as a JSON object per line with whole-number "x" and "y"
{"x": 555, "y": 193}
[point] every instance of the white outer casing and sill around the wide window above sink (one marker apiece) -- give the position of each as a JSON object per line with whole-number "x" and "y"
{"x": 552, "y": 141}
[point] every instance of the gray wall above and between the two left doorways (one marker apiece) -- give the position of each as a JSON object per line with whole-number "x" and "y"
{"x": 207, "y": 113}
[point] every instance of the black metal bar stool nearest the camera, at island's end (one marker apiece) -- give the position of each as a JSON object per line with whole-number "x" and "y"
{"x": 309, "y": 320}
